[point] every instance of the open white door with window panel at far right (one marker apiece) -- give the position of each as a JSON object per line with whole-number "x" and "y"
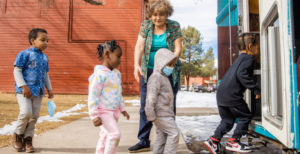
{"x": 275, "y": 69}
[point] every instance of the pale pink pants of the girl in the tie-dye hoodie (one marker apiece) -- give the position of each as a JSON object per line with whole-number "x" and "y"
{"x": 109, "y": 132}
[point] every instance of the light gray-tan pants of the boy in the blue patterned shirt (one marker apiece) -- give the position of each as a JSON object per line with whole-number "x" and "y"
{"x": 29, "y": 114}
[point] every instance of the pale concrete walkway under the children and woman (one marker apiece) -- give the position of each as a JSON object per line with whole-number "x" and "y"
{"x": 80, "y": 137}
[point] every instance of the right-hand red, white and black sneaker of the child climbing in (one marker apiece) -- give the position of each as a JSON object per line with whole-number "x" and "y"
{"x": 236, "y": 146}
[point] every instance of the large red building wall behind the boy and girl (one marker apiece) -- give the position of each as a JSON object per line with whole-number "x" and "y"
{"x": 75, "y": 27}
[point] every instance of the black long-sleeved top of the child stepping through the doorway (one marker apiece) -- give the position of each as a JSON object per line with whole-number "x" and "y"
{"x": 237, "y": 79}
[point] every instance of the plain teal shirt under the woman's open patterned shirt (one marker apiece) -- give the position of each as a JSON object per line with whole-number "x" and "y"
{"x": 158, "y": 42}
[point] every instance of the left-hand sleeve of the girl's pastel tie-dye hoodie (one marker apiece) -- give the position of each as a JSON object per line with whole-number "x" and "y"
{"x": 96, "y": 83}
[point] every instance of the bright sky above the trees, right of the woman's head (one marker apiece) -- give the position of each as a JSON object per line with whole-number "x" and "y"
{"x": 200, "y": 14}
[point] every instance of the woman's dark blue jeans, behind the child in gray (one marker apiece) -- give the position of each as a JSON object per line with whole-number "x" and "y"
{"x": 145, "y": 126}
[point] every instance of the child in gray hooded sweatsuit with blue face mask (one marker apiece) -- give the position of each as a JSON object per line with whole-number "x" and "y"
{"x": 159, "y": 103}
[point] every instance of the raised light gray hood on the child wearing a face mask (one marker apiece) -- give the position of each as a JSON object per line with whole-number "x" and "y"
{"x": 162, "y": 58}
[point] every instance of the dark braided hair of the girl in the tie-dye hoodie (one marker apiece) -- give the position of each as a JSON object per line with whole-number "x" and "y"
{"x": 108, "y": 45}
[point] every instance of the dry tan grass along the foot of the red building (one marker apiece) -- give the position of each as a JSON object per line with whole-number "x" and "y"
{"x": 10, "y": 111}
